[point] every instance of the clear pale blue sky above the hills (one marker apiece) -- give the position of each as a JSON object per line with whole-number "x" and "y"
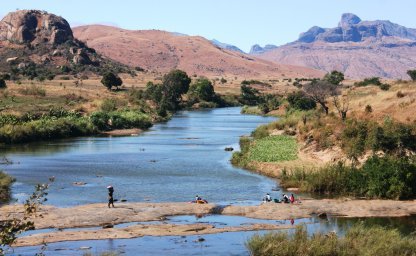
{"x": 239, "y": 22}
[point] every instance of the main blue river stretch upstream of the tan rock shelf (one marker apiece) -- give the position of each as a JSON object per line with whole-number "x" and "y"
{"x": 172, "y": 162}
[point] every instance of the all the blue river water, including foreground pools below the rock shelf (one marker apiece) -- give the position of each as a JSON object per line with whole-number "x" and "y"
{"x": 172, "y": 162}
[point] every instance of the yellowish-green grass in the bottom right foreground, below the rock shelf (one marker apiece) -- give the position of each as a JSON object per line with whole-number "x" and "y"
{"x": 359, "y": 240}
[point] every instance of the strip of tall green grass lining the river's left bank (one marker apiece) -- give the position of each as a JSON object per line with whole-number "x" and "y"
{"x": 58, "y": 124}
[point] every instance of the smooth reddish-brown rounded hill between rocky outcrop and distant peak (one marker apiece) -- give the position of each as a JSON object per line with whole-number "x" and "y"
{"x": 161, "y": 51}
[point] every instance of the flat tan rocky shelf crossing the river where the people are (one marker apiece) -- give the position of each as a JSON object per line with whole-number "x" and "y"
{"x": 97, "y": 215}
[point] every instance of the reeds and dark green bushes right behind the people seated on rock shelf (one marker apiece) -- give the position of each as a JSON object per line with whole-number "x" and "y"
{"x": 379, "y": 177}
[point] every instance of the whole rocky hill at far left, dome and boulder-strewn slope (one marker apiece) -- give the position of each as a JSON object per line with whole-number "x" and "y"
{"x": 37, "y": 44}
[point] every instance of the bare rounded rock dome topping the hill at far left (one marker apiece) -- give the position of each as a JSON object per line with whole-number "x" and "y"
{"x": 33, "y": 26}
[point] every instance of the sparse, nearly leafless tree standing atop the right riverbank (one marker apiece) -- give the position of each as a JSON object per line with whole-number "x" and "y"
{"x": 319, "y": 91}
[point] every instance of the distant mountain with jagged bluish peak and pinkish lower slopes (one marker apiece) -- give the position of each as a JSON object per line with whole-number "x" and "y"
{"x": 357, "y": 48}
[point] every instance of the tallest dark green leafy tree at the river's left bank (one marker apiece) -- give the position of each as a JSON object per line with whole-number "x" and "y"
{"x": 175, "y": 83}
